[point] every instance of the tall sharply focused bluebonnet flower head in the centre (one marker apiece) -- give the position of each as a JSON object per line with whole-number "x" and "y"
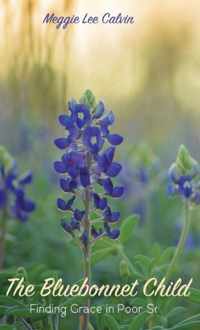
{"x": 87, "y": 168}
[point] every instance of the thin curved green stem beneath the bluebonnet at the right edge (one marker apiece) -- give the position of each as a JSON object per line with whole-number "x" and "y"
{"x": 182, "y": 240}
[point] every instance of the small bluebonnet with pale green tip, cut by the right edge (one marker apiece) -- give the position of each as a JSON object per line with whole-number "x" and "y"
{"x": 184, "y": 179}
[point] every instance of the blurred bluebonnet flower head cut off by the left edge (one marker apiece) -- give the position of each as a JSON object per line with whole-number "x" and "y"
{"x": 13, "y": 199}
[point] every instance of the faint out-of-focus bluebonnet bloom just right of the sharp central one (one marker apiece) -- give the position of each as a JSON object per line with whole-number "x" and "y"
{"x": 139, "y": 170}
